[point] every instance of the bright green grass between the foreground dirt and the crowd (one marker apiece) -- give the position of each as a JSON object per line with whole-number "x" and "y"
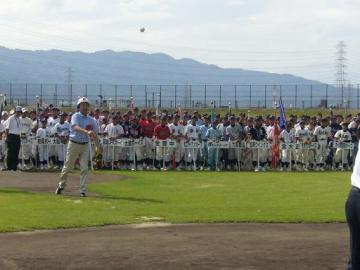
{"x": 184, "y": 197}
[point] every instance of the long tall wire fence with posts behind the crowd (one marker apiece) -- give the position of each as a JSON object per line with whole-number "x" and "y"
{"x": 186, "y": 96}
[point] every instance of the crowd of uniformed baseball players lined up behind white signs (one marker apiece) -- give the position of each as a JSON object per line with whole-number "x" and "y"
{"x": 134, "y": 140}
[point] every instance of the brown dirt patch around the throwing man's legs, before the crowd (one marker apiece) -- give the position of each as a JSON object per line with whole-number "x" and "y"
{"x": 48, "y": 181}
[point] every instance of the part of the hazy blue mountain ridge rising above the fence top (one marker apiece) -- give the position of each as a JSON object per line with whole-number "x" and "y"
{"x": 125, "y": 68}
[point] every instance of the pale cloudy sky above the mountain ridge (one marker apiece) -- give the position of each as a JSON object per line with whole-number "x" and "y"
{"x": 296, "y": 37}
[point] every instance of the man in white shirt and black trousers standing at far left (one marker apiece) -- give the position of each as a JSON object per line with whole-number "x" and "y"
{"x": 12, "y": 131}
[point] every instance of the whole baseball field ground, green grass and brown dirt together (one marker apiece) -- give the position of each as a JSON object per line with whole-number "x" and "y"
{"x": 175, "y": 220}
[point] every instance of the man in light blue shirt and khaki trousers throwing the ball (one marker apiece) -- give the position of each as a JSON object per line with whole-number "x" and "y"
{"x": 83, "y": 129}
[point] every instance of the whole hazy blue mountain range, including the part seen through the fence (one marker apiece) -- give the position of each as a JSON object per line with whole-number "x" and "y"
{"x": 24, "y": 74}
